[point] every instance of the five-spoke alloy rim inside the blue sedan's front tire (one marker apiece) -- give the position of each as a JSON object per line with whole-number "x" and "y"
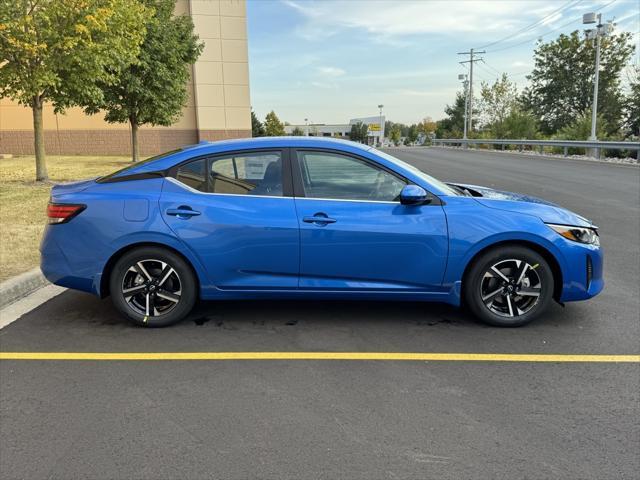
{"x": 511, "y": 288}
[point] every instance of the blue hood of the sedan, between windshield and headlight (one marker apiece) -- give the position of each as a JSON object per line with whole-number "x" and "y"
{"x": 547, "y": 211}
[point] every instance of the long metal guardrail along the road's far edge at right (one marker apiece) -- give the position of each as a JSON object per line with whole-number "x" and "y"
{"x": 595, "y": 146}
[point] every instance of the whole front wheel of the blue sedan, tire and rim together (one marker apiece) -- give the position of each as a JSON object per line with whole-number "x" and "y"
{"x": 518, "y": 301}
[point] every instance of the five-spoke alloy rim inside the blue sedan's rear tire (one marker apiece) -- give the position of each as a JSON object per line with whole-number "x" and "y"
{"x": 152, "y": 287}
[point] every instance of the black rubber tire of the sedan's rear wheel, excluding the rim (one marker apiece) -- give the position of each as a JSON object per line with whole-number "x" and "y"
{"x": 184, "y": 271}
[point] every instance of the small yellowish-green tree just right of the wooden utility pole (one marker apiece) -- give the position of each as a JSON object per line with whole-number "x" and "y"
{"x": 497, "y": 101}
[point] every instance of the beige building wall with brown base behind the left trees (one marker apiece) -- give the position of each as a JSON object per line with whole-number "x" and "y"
{"x": 218, "y": 105}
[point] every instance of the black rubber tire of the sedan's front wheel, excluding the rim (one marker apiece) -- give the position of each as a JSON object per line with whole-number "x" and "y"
{"x": 473, "y": 297}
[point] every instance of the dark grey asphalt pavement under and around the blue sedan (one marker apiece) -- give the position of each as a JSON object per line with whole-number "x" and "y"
{"x": 367, "y": 419}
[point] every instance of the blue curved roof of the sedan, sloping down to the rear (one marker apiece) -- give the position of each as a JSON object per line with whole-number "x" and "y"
{"x": 169, "y": 159}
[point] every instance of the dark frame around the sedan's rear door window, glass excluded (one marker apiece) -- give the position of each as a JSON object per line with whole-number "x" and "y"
{"x": 287, "y": 176}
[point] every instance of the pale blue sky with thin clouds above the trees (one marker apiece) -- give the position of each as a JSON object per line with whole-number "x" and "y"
{"x": 330, "y": 61}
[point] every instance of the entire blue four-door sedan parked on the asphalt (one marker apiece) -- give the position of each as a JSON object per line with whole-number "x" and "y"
{"x": 304, "y": 217}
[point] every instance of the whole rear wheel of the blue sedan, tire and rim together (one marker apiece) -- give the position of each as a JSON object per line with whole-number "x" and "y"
{"x": 164, "y": 287}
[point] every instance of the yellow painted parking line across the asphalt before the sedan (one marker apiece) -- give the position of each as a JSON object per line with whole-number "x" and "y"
{"x": 392, "y": 356}
